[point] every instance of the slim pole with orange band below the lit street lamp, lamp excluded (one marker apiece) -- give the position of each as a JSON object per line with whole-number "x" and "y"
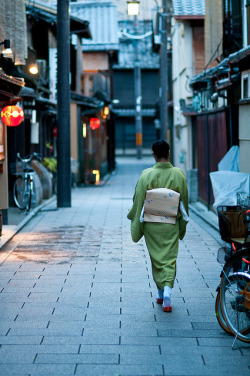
{"x": 138, "y": 98}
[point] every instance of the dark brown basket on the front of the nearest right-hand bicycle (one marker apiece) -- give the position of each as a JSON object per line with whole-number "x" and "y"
{"x": 232, "y": 222}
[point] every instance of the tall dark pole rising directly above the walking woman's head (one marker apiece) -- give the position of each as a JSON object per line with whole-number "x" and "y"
{"x": 164, "y": 74}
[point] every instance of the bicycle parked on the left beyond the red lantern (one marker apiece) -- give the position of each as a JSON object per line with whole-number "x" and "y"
{"x": 24, "y": 184}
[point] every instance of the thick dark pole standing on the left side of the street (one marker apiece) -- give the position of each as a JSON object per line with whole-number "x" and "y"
{"x": 63, "y": 105}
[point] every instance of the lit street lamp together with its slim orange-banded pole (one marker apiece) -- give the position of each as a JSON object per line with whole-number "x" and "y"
{"x": 133, "y": 9}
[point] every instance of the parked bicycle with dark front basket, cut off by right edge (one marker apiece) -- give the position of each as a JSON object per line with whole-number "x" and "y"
{"x": 232, "y": 304}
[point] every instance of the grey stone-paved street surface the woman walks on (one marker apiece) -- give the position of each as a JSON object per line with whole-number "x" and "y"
{"x": 77, "y": 296}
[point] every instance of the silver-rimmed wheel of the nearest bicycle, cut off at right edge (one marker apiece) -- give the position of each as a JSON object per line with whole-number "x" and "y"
{"x": 235, "y": 295}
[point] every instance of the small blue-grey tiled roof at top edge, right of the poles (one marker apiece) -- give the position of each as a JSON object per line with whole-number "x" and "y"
{"x": 188, "y": 7}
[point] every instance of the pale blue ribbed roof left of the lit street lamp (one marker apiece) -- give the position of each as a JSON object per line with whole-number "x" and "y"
{"x": 102, "y": 17}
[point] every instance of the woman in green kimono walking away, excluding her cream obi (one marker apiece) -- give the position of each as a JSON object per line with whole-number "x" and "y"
{"x": 162, "y": 239}
